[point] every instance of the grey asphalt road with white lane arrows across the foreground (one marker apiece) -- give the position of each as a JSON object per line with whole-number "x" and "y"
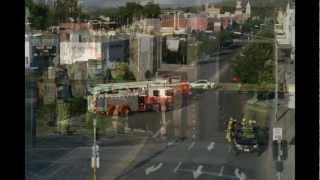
{"x": 207, "y": 155}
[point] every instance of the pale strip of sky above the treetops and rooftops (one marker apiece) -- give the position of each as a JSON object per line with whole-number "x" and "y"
{"x": 113, "y": 3}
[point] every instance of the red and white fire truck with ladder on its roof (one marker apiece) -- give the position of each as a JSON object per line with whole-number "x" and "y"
{"x": 135, "y": 96}
